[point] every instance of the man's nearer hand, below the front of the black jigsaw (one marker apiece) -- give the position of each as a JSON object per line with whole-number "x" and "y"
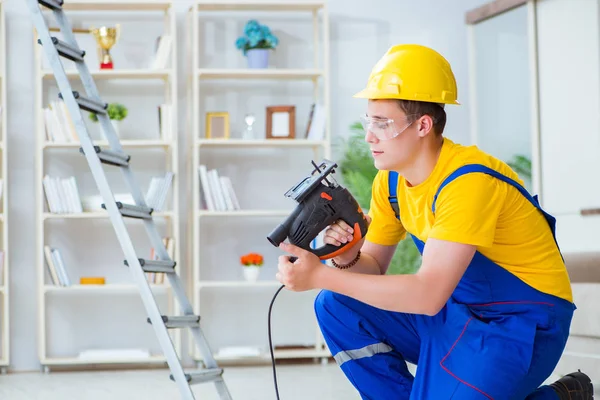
{"x": 301, "y": 275}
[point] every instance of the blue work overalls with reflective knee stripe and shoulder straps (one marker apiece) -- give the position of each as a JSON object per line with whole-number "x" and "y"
{"x": 496, "y": 338}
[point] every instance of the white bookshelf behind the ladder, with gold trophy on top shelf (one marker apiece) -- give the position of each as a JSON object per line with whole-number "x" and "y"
{"x": 77, "y": 318}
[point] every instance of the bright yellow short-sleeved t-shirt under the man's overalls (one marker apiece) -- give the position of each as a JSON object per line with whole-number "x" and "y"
{"x": 476, "y": 209}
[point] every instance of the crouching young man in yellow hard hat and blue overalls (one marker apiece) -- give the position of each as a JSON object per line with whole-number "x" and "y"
{"x": 488, "y": 313}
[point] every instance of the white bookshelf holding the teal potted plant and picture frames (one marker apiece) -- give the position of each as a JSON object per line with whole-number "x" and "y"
{"x": 234, "y": 310}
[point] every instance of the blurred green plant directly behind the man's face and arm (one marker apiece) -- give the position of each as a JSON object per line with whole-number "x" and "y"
{"x": 358, "y": 171}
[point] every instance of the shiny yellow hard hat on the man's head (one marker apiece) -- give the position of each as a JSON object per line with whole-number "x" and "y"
{"x": 412, "y": 72}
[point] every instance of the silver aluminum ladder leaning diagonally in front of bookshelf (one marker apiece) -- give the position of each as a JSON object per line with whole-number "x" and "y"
{"x": 115, "y": 157}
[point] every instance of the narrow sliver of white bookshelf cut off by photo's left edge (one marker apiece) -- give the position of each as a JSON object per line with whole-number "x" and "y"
{"x": 4, "y": 219}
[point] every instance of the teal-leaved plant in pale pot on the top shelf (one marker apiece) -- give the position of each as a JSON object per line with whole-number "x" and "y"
{"x": 256, "y": 43}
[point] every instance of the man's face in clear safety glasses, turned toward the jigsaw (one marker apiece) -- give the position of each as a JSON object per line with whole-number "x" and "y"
{"x": 392, "y": 138}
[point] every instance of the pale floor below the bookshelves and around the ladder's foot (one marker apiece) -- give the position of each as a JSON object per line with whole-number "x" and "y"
{"x": 296, "y": 382}
